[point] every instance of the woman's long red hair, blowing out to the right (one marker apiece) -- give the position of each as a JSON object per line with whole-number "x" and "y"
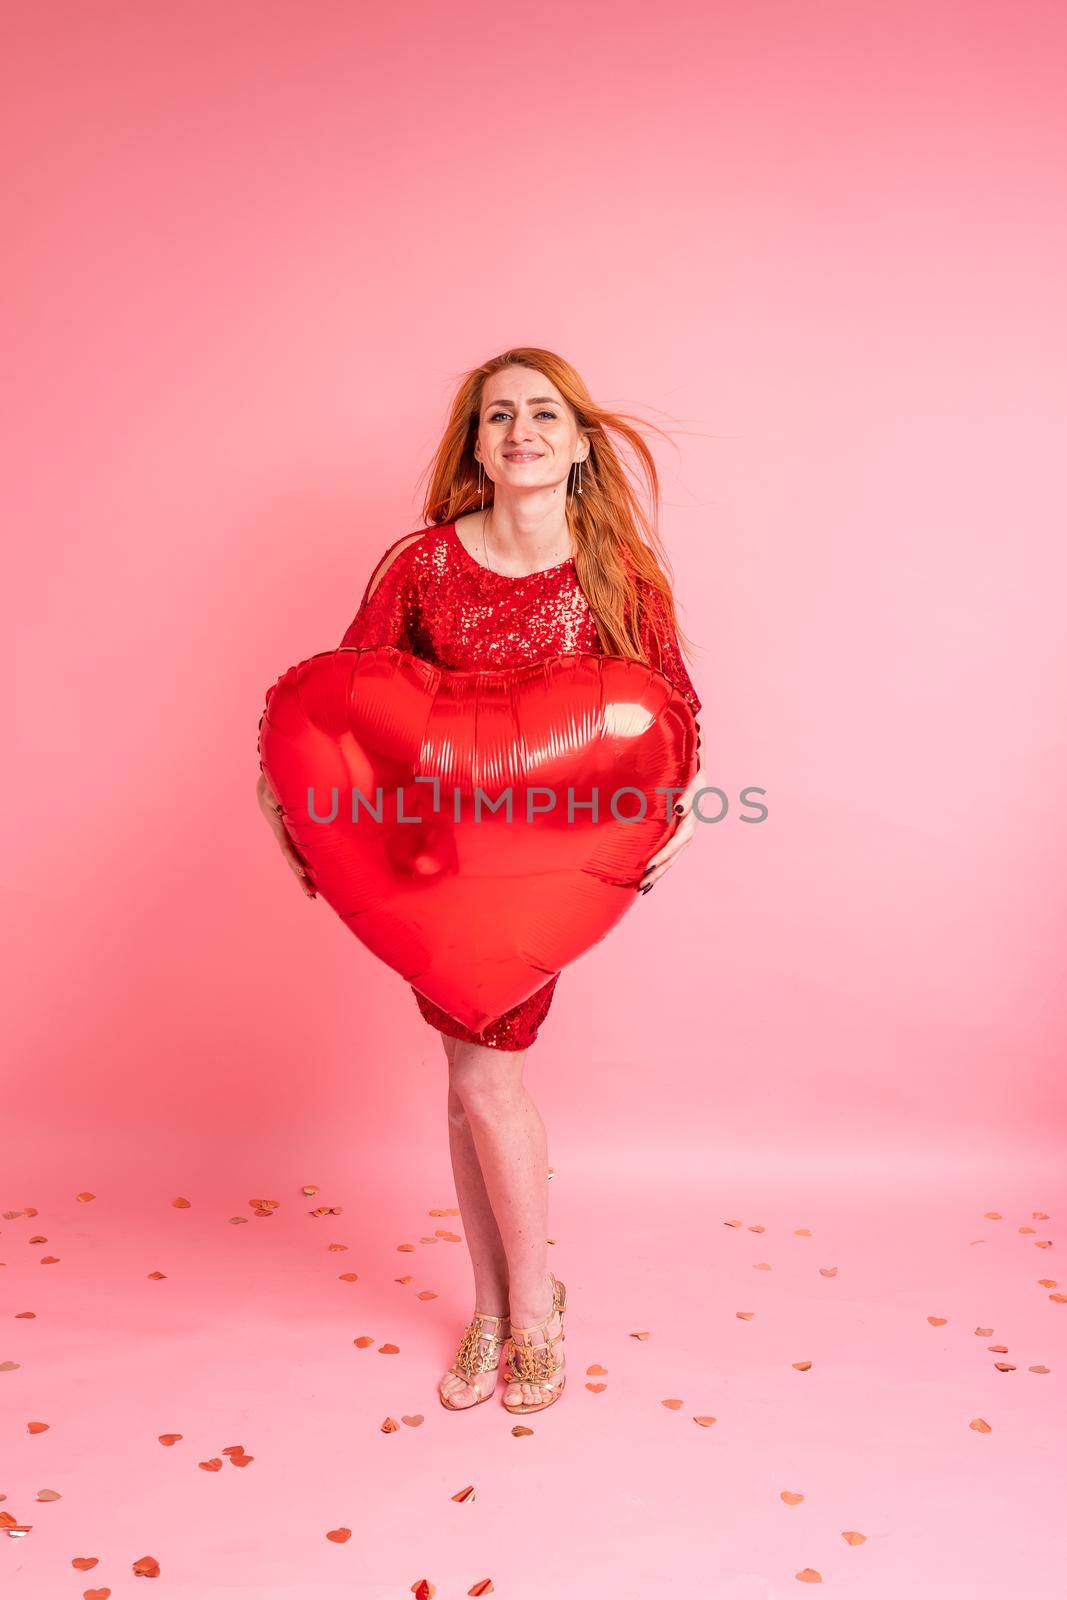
{"x": 617, "y": 538}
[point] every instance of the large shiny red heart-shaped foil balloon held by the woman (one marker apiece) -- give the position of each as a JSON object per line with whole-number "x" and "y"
{"x": 396, "y": 780}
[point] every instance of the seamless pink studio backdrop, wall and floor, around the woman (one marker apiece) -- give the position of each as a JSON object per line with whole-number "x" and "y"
{"x": 250, "y": 249}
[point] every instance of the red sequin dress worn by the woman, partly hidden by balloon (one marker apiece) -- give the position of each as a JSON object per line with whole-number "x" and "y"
{"x": 438, "y": 602}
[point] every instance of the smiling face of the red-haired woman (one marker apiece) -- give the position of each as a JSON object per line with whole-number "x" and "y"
{"x": 527, "y": 433}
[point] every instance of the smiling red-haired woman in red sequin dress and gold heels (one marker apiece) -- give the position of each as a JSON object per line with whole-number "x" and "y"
{"x": 554, "y": 564}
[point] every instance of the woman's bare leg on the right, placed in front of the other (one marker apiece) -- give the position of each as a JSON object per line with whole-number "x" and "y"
{"x": 513, "y": 1154}
